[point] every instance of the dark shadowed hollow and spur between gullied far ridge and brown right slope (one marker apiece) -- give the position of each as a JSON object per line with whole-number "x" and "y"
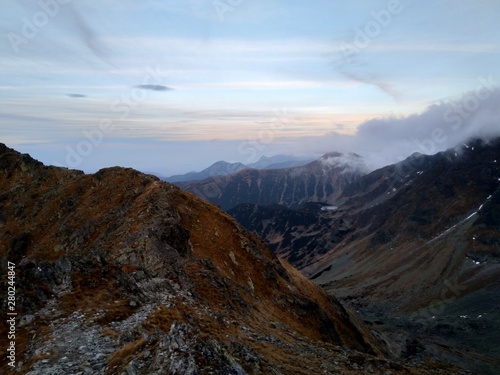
{"x": 302, "y": 235}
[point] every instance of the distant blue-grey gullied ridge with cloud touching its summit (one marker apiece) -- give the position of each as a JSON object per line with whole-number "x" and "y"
{"x": 318, "y": 181}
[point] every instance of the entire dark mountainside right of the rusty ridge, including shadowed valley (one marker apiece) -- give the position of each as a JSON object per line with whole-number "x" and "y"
{"x": 414, "y": 247}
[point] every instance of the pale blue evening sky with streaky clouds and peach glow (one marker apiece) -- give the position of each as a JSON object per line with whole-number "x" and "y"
{"x": 173, "y": 86}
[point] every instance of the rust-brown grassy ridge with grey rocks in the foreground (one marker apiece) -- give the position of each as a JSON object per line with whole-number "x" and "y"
{"x": 118, "y": 271}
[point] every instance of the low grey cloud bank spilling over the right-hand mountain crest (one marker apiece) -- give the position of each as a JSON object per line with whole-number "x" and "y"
{"x": 441, "y": 126}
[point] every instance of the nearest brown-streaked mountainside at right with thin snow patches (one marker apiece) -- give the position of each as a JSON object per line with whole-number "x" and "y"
{"x": 433, "y": 250}
